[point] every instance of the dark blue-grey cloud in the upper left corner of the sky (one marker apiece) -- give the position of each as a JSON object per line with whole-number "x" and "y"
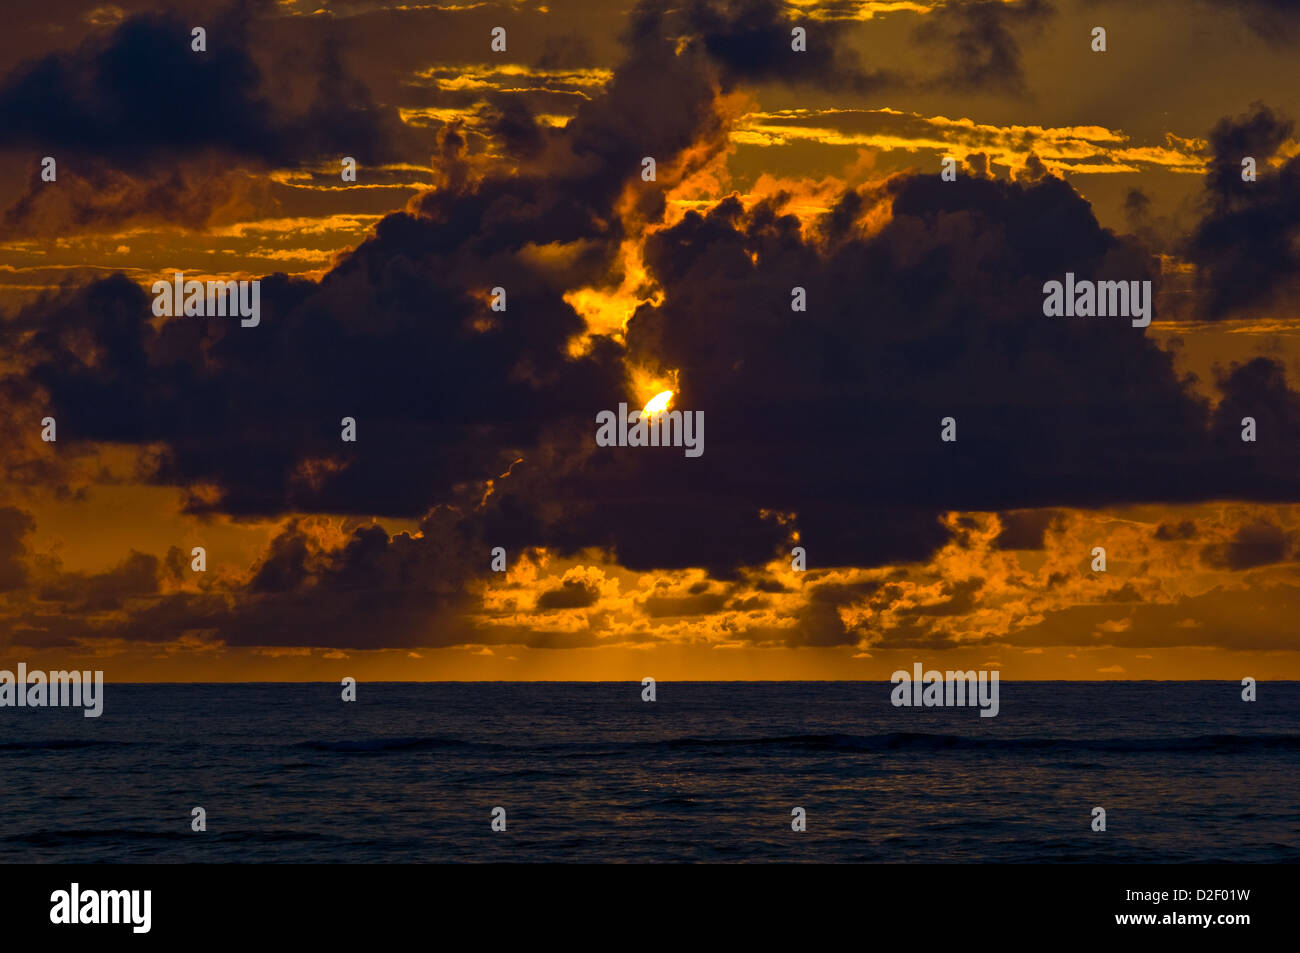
{"x": 146, "y": 129}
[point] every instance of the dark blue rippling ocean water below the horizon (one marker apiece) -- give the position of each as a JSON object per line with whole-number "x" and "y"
{"x": 709, "y": 773}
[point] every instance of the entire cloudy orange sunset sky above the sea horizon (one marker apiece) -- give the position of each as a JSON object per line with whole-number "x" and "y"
{"x": 523, "y": 170}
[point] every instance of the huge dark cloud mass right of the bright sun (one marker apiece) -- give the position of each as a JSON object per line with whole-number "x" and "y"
{"x": 835, "y": 414}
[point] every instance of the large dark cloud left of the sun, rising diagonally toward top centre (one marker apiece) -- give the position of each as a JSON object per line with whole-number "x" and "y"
{"x": 398, "y": 336}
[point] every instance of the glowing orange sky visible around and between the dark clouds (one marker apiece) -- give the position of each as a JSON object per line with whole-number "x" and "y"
{"x": 1203, "y": 590}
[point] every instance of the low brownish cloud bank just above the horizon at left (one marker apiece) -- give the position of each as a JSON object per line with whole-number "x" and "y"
{"x": 405, "y": 591}
